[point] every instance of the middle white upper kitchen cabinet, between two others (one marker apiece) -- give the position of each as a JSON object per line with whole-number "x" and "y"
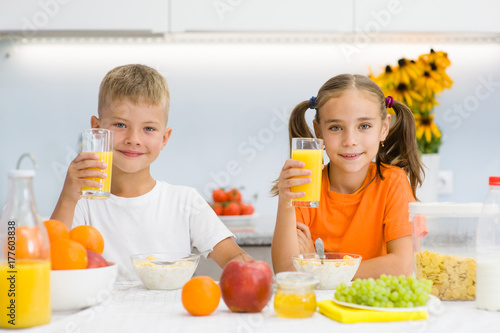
{"x": 261, "y": 16}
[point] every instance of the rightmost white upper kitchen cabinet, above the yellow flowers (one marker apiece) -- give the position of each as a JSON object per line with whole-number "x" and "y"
{"x": 427, "y": 16}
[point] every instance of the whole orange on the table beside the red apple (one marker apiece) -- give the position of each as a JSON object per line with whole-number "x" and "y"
{"x": 201, "y": 296}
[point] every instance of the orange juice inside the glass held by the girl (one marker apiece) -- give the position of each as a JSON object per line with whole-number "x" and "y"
{"x": 313, "y": 158}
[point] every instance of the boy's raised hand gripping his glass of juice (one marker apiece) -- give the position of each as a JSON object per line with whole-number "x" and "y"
{"x": 78, "y": 170}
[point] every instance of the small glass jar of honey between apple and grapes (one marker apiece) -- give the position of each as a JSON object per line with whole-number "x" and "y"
{"x": 295, "y": 296}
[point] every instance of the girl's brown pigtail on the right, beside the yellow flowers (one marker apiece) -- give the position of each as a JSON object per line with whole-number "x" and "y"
{"x": 400, "y": 147}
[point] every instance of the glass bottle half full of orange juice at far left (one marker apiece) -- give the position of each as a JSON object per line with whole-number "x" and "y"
{"x": 24, "y": 257}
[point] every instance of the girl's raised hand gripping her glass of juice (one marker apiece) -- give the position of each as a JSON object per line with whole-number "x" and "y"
{"x": 287, "y": 179}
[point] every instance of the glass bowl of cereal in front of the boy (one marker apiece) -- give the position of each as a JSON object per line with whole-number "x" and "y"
{"x": 165, "y": 271}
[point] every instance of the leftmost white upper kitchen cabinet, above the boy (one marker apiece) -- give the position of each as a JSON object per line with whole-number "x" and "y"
{"x": 118, "y": 16}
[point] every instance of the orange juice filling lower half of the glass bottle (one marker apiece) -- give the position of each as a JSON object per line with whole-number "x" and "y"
{"x": 25, "y": 293}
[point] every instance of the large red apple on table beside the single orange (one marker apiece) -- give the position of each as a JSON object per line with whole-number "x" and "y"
{"x": 246, "y": 286}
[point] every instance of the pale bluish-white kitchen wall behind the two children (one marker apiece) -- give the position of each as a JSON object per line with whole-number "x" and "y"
{"x": 229, "y": 103}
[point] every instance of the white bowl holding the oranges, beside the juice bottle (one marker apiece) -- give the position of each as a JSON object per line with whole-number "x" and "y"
{"x": 75, "y": 289}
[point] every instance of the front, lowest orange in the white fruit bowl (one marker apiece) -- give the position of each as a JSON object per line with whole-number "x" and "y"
{"x": 68, "y": 254}
